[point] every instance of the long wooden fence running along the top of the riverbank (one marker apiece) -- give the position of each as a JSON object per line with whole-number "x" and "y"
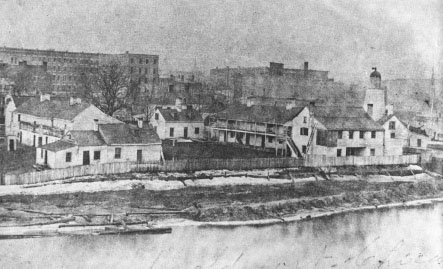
{"x": 205, "y": 164}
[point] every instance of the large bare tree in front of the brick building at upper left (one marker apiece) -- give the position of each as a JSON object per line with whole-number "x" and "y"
{"x": 110, "y": 87}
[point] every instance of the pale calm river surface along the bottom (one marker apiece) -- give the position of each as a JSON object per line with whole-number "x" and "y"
{"x": 391, "y": 238}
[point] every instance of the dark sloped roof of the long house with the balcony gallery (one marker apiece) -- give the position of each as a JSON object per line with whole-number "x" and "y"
{"x": 260, "y": 113}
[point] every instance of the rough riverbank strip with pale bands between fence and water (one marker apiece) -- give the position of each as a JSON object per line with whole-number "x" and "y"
{"x": 229, "y": 198}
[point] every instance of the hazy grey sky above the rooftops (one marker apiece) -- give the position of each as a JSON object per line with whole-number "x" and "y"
{"x": 402, "y": 38}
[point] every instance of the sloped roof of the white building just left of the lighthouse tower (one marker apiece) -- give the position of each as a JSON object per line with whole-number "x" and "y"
{"x": 345, "y": 118}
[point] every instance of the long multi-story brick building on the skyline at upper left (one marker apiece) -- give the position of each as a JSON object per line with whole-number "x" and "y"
{"x": 64, "y": 66}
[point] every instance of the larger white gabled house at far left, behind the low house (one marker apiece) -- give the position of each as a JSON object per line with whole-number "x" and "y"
{"x": 40, "y": 121}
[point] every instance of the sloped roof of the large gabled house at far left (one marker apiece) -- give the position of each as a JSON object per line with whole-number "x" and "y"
{"x": 60, "y": 109}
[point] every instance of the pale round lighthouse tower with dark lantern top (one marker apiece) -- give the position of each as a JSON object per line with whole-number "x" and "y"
{"x": 375, "y": 96}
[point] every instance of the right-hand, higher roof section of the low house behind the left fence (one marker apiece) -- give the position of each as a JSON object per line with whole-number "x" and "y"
{"x": 118, "y": 134}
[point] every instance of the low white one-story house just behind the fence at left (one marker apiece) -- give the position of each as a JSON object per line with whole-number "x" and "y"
{"x": 107, "y": 143}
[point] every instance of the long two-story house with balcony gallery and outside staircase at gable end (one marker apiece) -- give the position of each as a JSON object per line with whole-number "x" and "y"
{"x": 286, "y": 130}
